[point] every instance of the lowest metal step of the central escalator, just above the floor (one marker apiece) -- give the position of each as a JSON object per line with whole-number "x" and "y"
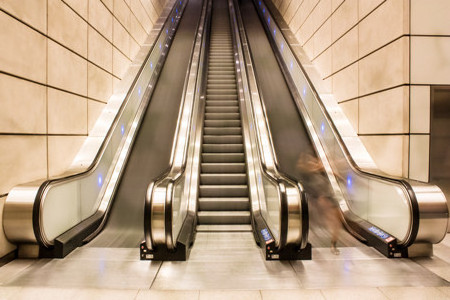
{"x": 223, "y": 217}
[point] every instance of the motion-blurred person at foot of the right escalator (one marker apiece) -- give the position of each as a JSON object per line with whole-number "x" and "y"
{"x": 318, "y": 188}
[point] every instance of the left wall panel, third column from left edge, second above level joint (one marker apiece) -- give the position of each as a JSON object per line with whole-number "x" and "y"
{"x": 99, "y": 83}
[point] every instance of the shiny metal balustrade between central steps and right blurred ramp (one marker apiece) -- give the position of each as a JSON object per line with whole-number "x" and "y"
{"x": 281, "y": 194}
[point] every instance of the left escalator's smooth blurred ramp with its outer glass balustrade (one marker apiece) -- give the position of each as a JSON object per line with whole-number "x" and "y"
{"x": 103, "y": 206}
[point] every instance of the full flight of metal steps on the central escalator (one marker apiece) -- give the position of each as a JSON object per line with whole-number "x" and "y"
{"x": 223, "y": 196}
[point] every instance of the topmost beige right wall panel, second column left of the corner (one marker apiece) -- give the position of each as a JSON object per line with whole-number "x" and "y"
{"x": 344, "y": 18}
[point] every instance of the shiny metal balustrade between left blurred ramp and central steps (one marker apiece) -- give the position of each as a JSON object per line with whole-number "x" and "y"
{"x": 165, "y": 205}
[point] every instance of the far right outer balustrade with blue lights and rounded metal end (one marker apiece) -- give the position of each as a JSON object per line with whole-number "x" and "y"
{"x": 362, "y": 192}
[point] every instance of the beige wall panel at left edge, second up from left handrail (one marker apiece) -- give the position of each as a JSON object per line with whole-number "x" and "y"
{"x": 23, "y": 106}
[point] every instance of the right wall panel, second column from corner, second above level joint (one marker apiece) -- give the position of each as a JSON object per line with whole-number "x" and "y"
{"x": 345, "y": 83}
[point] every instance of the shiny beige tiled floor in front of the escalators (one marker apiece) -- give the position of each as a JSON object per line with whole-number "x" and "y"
{"x": 221, "y": 269}
